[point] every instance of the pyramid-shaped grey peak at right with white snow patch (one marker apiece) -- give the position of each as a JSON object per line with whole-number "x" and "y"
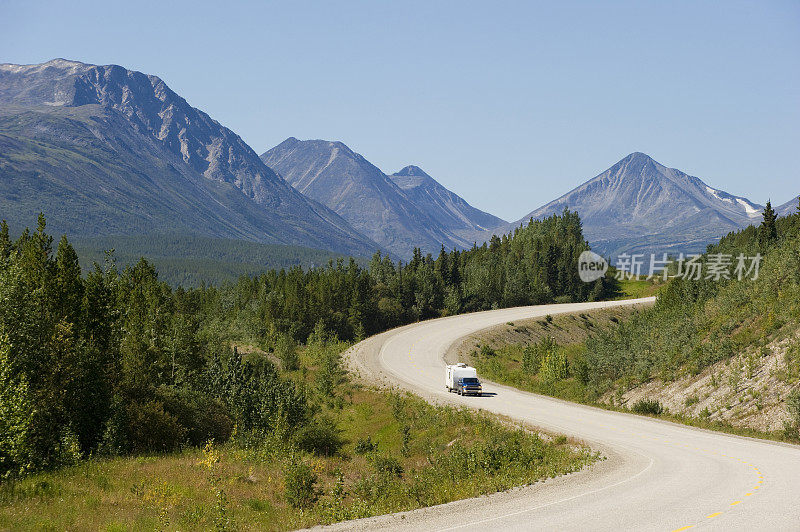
{"x": 641, "y": 206}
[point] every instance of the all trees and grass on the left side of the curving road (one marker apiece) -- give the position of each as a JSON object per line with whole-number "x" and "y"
{"x": 123, "y": 400}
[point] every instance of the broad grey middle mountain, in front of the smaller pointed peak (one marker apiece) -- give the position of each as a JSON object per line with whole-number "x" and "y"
{"x": 334, "y": 175}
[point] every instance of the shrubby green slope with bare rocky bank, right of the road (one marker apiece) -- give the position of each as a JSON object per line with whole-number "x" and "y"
{"x": 736, "y": 342}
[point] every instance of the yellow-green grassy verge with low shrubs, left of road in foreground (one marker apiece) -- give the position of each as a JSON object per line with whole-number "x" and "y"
{"x": 375, "y": 453}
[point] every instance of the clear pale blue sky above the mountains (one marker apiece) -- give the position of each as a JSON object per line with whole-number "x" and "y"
{"x": 509, "y": 104}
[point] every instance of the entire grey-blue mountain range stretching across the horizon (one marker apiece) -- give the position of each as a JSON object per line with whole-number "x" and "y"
{"x": 105, "y": 151}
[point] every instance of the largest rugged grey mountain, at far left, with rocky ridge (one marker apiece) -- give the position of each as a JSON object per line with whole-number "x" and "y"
{"x": 108, "y": 151}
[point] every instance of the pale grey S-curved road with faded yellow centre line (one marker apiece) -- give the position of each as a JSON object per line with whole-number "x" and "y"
{"x": 658, "y": 476}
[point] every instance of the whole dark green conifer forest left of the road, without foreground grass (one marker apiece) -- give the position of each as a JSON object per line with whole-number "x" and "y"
{"x": 115, "y": 361}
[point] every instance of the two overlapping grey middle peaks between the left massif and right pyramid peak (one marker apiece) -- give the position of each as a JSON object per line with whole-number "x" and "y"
{"x": 399, "y": 212}
